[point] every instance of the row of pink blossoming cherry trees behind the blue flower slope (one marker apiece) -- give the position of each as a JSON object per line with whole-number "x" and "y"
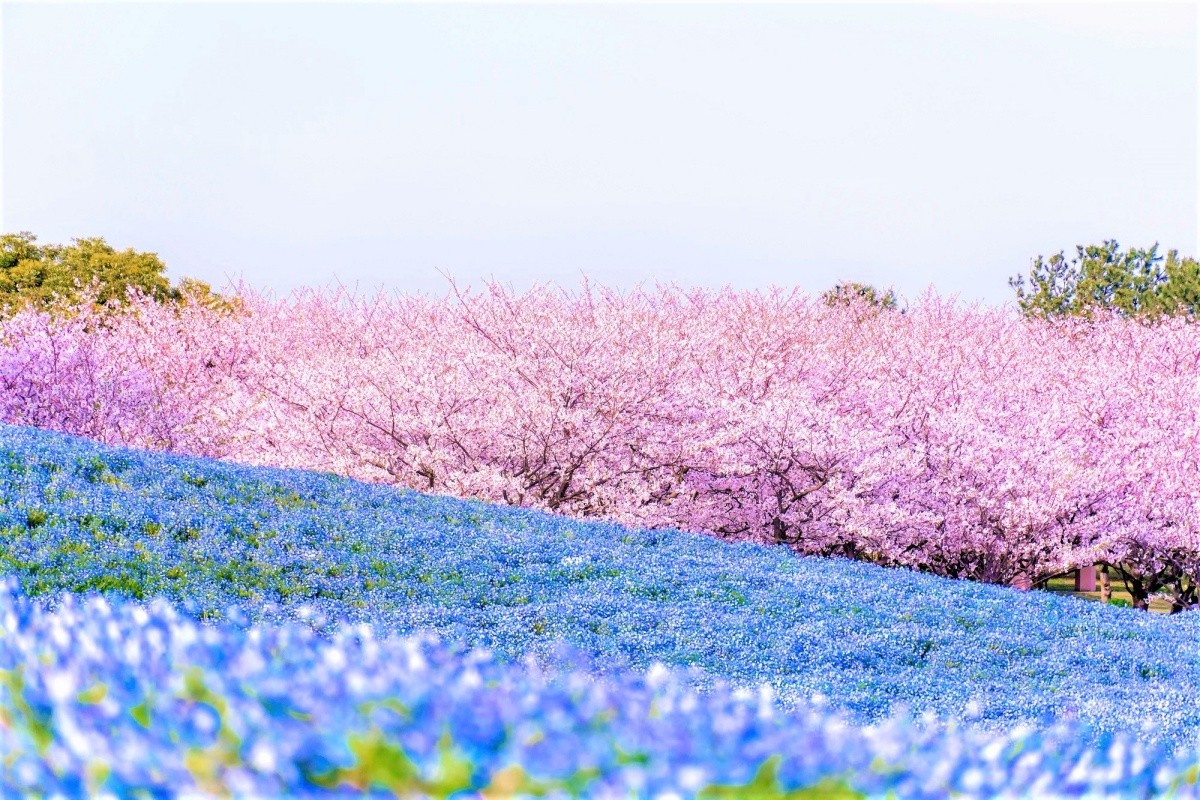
{"x": 965, "y": 442}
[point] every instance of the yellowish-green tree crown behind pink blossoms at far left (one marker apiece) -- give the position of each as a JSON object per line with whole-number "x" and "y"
{"x": 33, "y": 274}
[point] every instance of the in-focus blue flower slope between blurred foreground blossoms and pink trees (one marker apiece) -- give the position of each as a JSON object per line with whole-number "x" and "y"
{"x": 244, "y": 545}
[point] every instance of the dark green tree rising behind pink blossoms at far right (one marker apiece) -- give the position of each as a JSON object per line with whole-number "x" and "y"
{"x": 1135, "y": 282}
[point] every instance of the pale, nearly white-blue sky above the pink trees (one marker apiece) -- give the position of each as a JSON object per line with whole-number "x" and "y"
{"x": 904, "y": 146}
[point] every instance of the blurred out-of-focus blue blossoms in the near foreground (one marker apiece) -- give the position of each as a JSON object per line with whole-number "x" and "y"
{"x": 103, "y": 697}
